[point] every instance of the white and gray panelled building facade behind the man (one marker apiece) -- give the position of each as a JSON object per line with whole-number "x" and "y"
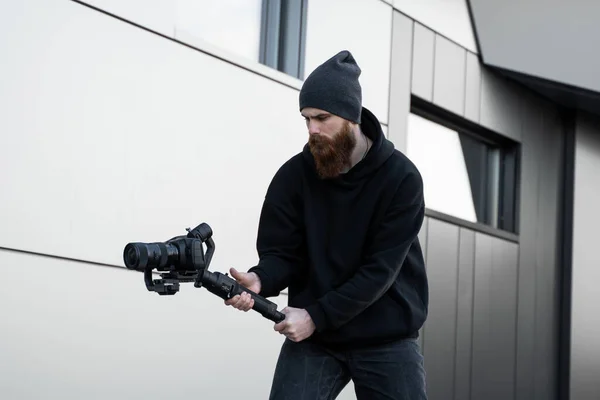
{"x": 132, "y": 120}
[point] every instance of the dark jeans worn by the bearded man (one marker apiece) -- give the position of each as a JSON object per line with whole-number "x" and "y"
{"x": 311, "y": 372}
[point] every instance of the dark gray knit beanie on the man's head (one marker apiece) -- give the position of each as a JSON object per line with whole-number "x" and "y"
{"x": 333, "y": 87}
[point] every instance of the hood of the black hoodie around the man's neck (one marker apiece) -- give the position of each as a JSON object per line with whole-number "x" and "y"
{"x": 378, "y": 154}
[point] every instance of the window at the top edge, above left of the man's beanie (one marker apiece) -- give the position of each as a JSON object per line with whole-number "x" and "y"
{"x": 271, "y": 32}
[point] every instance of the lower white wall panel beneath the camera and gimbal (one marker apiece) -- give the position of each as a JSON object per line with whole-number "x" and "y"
{"x": 75, "y": 331}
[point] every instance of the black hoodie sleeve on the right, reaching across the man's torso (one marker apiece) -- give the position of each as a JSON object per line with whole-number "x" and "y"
{"x": 382, "y": 262}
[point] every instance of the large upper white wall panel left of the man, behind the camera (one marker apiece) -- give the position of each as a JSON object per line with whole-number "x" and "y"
{"x": 112, "y": 134}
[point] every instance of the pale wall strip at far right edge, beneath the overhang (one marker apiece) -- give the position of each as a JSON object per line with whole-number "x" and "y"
{"x": 585, "y": 319}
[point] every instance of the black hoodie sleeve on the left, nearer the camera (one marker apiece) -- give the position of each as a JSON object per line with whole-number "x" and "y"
{"x": 279, "y": 239}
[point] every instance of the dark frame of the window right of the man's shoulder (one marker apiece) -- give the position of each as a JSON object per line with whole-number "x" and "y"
{"x": 507, "y": 224}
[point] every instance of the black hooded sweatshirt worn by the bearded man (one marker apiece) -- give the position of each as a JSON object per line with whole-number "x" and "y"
{"x": 347, "y": 248}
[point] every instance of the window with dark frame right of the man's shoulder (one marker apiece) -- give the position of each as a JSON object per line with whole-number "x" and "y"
{"x": 464, "y": 175}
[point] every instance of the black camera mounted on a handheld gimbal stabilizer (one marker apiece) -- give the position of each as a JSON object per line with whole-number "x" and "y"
{"x": 184, "y": 259}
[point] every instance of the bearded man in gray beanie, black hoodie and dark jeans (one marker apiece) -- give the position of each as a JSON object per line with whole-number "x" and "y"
{"x": 339, "y": 228}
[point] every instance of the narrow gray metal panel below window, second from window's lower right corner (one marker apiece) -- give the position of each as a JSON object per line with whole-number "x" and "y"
{"x": 481, "y": 378}
